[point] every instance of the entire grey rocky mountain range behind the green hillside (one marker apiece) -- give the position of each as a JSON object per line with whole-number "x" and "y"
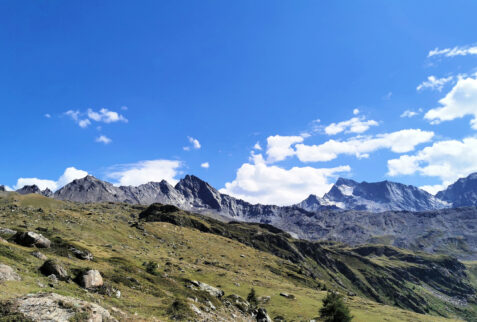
{"x": 351, "y": 212}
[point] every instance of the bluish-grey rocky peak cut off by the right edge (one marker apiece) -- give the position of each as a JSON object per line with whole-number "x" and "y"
{"x": 461, "y": 193}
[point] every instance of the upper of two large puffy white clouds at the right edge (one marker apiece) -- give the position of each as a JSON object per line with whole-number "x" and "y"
{"x": 459, "y": 102}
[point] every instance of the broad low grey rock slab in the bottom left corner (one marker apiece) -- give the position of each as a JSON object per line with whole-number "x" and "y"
{"x": 54, "y": 307}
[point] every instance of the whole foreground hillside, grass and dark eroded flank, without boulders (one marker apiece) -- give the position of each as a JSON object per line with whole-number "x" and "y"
{"x": 154, "y": 255}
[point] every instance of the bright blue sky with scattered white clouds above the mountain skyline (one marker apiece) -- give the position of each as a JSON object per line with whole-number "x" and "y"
{"x": 132, "y": 93}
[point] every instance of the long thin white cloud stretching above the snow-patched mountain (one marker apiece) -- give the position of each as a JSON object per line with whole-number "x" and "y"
{"x": 400, "y": 142}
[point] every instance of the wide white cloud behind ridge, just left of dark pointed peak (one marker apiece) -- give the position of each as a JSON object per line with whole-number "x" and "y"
{"x": 145, "y": 171}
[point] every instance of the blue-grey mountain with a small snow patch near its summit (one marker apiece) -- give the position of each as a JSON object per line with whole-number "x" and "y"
{"x": 381, "y": 196}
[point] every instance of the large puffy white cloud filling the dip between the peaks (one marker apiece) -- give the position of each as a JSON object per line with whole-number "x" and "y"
{"x": 258, "y": 182}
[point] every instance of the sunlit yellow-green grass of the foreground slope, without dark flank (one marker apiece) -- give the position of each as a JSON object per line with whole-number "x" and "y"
{"x": 181, "y": 253}
